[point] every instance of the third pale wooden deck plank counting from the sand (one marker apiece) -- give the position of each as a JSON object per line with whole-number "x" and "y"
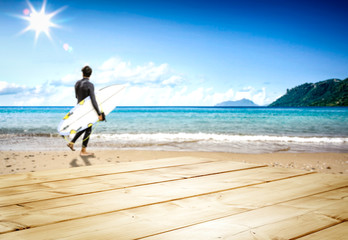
{"x": 50, "y": 211}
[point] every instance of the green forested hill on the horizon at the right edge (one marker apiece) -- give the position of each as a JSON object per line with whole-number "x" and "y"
{"x": 332, "y": 92}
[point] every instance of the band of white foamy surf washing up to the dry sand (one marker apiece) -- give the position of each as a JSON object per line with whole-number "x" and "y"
{"x": 180, "y": 142}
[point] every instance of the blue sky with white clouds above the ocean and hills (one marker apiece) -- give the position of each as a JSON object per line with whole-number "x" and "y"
{"x": 170, "y": 53}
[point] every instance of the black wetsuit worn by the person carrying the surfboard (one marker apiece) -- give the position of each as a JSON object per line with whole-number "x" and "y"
{"x": 83, "y": 89}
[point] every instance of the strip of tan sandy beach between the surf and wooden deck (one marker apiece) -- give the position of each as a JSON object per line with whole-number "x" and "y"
{"x": 31, "y": 161}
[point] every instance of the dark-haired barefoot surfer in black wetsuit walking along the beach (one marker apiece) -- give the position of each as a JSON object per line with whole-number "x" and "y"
{"x": 83, "y": 89}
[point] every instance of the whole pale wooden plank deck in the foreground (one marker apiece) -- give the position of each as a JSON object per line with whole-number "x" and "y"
{"x": 177, "y": 198}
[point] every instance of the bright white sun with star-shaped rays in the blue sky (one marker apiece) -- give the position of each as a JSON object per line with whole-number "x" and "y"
{"x": 39, "y": 21}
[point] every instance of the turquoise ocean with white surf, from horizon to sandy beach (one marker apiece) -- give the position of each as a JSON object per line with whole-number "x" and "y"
{"x": 219, "y": 129}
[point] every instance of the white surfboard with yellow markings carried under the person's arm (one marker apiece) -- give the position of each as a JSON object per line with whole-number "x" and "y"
{"x": 83, "y": 115}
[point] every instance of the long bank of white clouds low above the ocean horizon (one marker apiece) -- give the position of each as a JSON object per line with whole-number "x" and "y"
{"x": 148, "y": 85}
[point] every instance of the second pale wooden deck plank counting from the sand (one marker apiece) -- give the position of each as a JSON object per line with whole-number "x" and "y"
{"x": 70, "y": 187}
